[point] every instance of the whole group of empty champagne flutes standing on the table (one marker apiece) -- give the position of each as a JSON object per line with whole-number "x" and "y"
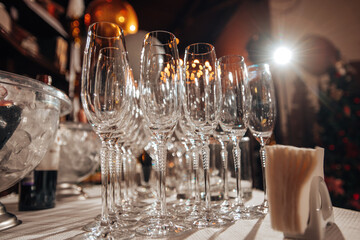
{"x": 203, "y": 97}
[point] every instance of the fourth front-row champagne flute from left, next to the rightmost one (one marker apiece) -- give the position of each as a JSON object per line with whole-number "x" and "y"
{"x": 233, "y": 74}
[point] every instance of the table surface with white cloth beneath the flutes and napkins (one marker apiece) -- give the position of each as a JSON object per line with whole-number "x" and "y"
{"x": 67, "y": 218}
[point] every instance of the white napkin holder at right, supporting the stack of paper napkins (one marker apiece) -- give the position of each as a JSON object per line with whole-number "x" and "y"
{"x": 320, "y": 212}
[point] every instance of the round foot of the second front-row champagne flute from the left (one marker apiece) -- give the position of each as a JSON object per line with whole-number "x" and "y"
{"x": 162, "y": 228}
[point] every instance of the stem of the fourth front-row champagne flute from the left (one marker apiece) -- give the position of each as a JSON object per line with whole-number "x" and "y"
{"x": 237, "y": 165}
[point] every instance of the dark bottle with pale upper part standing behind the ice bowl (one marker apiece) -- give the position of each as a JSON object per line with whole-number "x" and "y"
{"x": 38, "y": 189}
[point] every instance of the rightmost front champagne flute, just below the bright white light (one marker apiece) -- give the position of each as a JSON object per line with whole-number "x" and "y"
{"x": 262, "y": 113}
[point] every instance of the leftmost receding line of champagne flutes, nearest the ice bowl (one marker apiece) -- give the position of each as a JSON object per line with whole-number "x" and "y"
{"x": 108, "y": 94}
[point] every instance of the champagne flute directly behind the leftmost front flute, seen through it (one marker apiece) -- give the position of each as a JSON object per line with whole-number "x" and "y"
{"x": 114, "y": 97}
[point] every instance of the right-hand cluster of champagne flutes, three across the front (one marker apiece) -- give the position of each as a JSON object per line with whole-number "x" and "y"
{"x": 223, "y": 100}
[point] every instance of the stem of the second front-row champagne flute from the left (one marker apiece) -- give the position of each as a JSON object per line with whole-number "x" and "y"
{"x": 162, "y": 177}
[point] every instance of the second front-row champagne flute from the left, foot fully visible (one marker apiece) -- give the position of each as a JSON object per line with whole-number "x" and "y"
{"x": 160, "y": 105}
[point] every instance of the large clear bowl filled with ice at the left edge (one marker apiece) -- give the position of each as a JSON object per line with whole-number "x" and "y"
{"x": 29, "y": 119}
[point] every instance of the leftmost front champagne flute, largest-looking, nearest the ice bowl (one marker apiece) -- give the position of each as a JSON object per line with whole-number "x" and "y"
{"x": 104, "y": 96}
